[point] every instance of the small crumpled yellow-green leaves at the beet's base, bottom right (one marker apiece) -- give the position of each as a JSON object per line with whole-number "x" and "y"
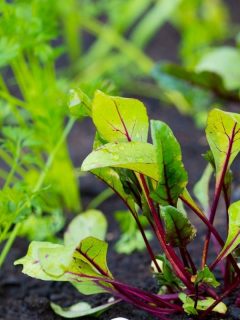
{"x": 188, "y": 305}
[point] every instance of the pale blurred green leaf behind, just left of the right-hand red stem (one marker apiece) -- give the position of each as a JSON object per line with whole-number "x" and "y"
{"x": 201, "y": 188}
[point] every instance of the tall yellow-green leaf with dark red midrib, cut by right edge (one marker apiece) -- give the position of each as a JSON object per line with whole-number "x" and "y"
{"x": 223, "y": 135}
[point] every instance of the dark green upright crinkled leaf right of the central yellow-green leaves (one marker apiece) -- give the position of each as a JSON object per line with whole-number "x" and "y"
{"x": 172, "y": 175}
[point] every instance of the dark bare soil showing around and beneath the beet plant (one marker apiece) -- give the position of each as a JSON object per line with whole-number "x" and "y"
{"x": 24, "y": 298}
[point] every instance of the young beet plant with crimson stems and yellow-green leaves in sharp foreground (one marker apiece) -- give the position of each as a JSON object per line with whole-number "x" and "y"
{"x": 152, "y": 181}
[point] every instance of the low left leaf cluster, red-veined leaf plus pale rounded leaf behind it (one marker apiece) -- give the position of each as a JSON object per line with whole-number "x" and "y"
{"x": 77, "y": 260}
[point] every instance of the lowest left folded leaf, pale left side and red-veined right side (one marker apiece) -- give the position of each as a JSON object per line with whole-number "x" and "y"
{"x": 47, "y": 261}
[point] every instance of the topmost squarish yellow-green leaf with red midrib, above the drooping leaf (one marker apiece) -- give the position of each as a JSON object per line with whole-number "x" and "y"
{"x": 119, "y": 119}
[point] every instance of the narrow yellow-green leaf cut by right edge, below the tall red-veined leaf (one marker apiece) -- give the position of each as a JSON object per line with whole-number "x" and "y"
{"x": 233, "y": 238}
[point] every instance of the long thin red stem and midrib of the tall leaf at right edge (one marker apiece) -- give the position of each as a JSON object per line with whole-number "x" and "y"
{"x": 218, "y": 189}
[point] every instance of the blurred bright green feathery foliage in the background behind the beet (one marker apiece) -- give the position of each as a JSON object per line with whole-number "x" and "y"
{"x": 48, "y": 47}
